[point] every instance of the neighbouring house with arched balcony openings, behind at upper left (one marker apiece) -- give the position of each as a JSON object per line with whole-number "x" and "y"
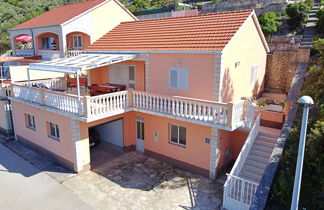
{"x": 65, "y": 30}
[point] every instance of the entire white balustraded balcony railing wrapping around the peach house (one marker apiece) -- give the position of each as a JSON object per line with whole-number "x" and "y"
{"x": 227, "y": 116}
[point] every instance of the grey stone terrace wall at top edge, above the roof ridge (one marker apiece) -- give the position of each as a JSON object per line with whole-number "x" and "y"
{"x": 260, "y": 6}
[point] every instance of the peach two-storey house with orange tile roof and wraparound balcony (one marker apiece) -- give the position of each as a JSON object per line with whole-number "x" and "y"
{"x": 176, "y": 89}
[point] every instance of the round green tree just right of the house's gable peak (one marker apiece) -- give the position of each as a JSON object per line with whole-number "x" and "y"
{"x": 268, "y": 22}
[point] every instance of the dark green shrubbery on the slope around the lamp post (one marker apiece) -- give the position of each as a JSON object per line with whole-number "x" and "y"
{"x": 312, "y": 188}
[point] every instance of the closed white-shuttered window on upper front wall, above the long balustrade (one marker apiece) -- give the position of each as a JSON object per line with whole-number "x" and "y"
{"x": 182, "y": 78}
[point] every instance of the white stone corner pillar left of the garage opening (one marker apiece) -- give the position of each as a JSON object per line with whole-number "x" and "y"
{"x": 76, "y": 145}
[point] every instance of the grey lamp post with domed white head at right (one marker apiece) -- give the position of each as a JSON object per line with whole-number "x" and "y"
{"x": 307, "y": 102}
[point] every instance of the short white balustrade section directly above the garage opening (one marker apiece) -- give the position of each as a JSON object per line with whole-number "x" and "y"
{"x": 107, "y": 104}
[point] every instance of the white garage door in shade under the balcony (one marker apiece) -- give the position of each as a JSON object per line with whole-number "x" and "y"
{"x": 112, "y": 133}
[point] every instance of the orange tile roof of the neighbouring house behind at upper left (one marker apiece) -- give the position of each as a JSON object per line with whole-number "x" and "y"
{"x": 59, "y": 15}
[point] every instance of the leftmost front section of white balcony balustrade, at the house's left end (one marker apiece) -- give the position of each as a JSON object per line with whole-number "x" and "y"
{"x": 27, "y": 93}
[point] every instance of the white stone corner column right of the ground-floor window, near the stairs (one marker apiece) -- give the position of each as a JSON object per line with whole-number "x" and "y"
{"x": 214, "y": 152}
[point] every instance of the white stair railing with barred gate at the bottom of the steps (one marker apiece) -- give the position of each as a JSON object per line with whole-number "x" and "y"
{"x": 238, "y": 192}
